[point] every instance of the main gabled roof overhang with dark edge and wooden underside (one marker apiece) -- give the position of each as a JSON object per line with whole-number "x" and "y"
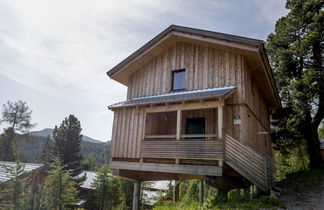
{"x": 252, "y": 49}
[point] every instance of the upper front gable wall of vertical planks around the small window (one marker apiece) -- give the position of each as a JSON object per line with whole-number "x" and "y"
{"x": 205, "y": 68}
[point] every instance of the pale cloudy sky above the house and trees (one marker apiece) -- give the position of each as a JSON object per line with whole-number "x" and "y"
{"x": 55, "y": 54}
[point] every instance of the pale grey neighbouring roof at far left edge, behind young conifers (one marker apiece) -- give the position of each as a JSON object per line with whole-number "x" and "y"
{"x": 5, "y": 176}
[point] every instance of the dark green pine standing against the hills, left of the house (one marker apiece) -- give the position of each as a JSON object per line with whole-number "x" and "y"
{"x": 67, "y": 141}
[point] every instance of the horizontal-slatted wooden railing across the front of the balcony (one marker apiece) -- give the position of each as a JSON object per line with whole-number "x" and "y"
{"x": 205, "y": 146}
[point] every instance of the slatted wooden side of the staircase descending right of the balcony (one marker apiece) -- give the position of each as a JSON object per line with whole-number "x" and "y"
{"x": 255, "y": 166}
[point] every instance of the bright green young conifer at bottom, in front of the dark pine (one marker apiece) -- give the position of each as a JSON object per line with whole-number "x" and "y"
{"x": 59, "y": 189}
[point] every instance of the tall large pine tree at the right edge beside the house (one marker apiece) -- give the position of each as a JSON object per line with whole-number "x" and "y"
{"x": 296, "y": 52}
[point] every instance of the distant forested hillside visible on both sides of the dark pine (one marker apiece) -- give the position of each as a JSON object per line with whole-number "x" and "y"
{"x": 31, "y": 146}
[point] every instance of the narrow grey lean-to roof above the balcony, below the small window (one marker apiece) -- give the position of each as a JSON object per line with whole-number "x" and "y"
{"x": 178, "y": 96}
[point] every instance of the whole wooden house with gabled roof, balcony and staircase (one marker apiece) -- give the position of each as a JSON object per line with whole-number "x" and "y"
{"x": 198, "y": 105}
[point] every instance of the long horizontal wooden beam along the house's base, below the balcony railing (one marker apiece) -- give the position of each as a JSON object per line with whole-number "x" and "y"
{"x": 168, "y": 168}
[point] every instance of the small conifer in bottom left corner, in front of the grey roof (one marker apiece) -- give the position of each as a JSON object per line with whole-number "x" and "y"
{"x": 14, "y": 187}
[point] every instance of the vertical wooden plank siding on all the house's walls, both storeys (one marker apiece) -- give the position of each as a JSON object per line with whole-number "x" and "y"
{"x": 205, "y": 68}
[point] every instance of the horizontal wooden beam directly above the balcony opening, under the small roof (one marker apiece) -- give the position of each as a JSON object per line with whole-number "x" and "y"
{"x": 186, "y": 106}
